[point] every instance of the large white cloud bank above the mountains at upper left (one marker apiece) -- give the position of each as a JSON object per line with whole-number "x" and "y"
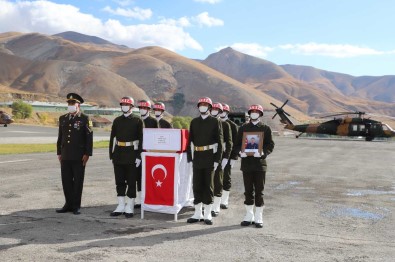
{"x": 51, "y": 18}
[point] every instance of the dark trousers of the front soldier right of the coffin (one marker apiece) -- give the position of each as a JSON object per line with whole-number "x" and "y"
{"x": 203, "y": 185}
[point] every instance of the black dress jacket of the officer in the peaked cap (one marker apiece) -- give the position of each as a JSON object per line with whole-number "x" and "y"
{"x": 75, "y": 137}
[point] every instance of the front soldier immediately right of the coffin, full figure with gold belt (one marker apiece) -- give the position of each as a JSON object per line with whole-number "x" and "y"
{"x": 204, "y": 151}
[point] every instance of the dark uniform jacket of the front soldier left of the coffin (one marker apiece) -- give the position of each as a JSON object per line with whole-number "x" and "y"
{"x": 126, "y": 129}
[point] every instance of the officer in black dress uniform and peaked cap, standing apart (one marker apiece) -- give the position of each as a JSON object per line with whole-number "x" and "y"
{"x": 74, "y": 146}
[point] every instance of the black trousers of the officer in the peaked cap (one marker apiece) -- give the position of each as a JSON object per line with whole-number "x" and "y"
{"x": 73, "y": 173}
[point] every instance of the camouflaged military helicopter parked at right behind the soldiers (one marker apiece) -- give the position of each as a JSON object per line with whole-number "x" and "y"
{"x": 344, "y": 126}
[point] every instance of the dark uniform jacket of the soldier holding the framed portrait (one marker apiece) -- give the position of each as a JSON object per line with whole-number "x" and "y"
{"x": 251, "y": 163}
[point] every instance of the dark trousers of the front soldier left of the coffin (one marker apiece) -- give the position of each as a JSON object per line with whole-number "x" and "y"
{"x": 125, "y": 177}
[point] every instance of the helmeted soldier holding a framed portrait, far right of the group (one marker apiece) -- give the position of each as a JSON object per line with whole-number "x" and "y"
{"x": 254, "y": 167}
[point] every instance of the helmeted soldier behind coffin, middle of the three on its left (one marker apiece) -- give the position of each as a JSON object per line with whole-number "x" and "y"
{"x": 149, "y": 122}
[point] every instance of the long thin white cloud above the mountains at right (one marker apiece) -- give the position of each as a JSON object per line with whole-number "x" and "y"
{"x": 332, "y": 50}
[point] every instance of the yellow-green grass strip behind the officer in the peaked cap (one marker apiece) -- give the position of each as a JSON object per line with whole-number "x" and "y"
{"x": 8, "y": 149}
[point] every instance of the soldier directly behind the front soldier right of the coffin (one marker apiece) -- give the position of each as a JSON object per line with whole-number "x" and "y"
{"x": 227, "y": 145}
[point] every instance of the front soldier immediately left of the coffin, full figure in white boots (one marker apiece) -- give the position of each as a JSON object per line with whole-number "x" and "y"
{"x": 125, "y": 154}
